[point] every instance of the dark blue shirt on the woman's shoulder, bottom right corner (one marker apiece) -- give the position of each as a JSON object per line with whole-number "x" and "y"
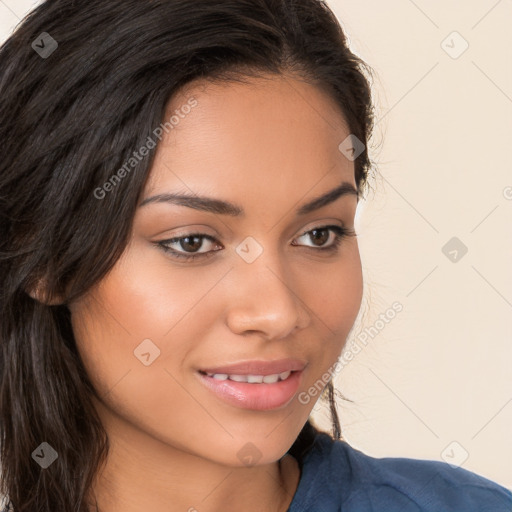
{"x": 336, "y": 477}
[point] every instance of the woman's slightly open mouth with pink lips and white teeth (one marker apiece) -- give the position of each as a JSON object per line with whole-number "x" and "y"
{"x": 262, "y": 389}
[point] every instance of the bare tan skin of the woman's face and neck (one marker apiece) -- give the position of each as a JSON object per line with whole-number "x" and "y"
{"x": 270, "y": 146}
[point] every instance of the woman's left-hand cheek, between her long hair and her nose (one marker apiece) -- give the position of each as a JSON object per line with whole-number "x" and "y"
{"x": 140, "y": 300}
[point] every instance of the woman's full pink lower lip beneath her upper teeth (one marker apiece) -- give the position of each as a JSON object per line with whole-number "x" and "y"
{"x": 259, "y": 397}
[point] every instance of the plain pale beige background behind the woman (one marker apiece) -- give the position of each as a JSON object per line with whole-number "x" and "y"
{"x": 440, "y": 371}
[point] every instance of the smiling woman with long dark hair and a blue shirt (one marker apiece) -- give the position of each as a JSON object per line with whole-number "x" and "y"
{"x": 179, "y": 264}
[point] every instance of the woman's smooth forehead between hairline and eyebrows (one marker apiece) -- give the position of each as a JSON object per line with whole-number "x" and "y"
{"x": 273, "y": 131}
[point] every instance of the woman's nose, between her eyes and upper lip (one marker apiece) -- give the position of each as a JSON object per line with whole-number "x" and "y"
{"x": 263, "y": 300}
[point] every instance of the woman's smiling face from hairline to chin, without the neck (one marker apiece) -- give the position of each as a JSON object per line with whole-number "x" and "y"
{"x": 259, "y": 290}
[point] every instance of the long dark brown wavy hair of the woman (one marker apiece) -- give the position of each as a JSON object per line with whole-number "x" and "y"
{"x": 67, "y": 121}
